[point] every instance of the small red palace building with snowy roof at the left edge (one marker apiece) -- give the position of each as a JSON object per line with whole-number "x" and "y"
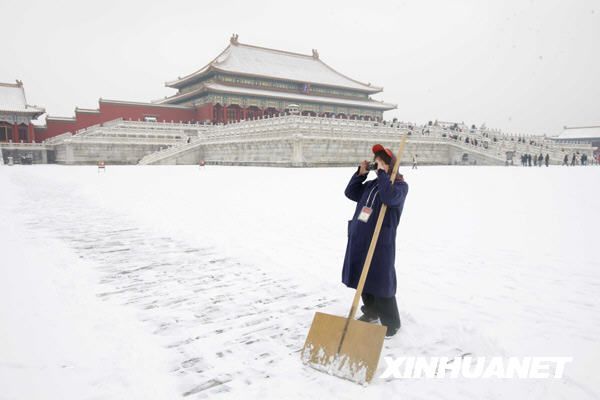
{"x": 16, "y": 115}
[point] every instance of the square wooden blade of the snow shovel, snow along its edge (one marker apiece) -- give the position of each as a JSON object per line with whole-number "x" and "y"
{"x": 359, "y": 355}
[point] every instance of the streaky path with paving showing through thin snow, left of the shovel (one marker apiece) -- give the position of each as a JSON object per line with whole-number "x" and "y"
{"x": 229, "y": 323}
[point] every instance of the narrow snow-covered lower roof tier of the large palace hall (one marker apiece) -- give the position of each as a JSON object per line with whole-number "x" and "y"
{"x": 288, "y": 96}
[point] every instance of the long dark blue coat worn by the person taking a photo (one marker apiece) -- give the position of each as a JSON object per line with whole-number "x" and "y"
{"x": 381, "y": 280}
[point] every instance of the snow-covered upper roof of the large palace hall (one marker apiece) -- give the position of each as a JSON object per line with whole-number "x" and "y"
{"x": 278, "y": 64}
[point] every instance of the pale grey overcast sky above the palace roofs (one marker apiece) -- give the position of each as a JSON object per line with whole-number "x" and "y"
{"x": 522, "y": 66}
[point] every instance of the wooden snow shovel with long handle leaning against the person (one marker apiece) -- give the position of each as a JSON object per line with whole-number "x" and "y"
{"x": 346, "y": 347}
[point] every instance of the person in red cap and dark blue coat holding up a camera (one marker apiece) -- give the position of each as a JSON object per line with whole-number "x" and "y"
{"x": 379, "y": 301}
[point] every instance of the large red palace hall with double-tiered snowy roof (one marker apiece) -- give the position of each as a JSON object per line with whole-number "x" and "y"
{"x": 247, "y": 81}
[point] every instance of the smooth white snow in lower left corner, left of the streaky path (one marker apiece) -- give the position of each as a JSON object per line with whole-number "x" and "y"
{"x": 58, "y": 340}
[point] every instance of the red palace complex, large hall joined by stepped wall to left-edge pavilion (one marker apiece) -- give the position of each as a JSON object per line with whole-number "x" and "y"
{"x": 243, "y": 82}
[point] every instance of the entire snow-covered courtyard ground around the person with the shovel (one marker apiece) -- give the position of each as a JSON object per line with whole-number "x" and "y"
{"x": 163, "y": 282}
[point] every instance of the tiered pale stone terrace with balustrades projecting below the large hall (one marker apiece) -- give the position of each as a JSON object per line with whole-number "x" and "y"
{"x": 251, "y": 140}
